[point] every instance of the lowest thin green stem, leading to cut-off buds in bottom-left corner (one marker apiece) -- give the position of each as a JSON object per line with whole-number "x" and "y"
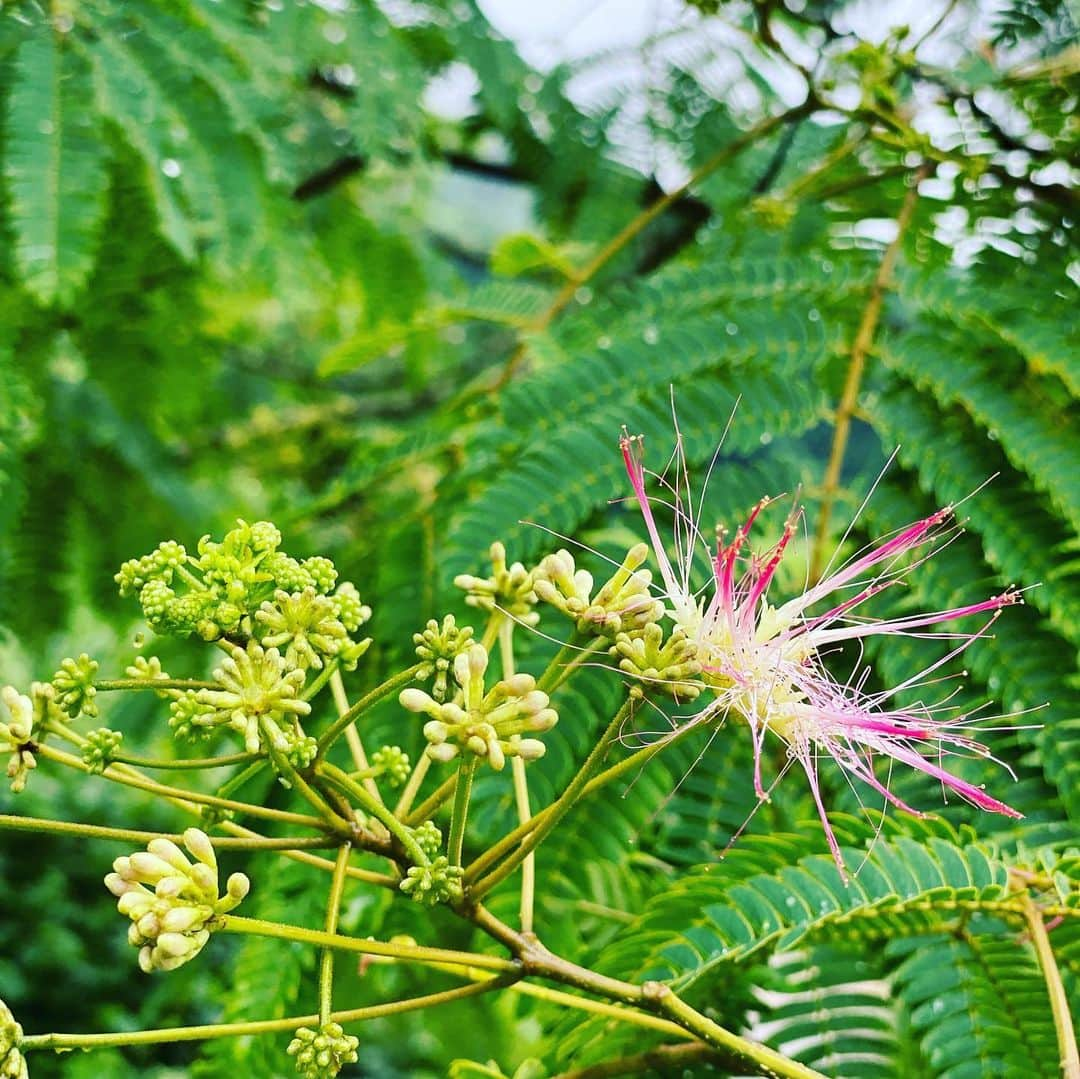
{"x": 87, "y": 1042}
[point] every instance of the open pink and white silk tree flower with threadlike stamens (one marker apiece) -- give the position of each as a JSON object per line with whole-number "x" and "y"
{"x": 764, "y": 664}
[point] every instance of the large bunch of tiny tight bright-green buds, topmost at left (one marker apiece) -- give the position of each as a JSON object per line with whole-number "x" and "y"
{"x": 246, "y": 586}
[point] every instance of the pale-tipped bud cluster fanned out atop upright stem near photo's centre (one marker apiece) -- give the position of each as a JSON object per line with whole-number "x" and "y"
{"x": 488, "y": 724}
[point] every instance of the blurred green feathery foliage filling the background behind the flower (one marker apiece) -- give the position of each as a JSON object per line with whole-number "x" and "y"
{"x": 250, "y": 267}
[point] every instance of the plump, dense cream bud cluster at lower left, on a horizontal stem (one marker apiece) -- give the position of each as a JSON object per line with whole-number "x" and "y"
{"x": 172, "y": 903}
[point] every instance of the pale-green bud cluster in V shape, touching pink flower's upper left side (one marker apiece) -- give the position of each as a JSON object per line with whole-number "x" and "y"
{"x": 624, "y": 604}
